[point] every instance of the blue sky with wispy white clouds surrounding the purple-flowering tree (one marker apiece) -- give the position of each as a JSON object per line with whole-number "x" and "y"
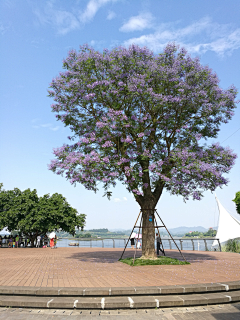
{"x": 36, "y": 36}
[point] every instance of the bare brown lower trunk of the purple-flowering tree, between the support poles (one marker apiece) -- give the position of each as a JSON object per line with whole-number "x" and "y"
{"x": 148, "y": 231}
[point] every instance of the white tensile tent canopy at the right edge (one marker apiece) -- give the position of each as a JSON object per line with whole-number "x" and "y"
{"x": 228, "y": 226}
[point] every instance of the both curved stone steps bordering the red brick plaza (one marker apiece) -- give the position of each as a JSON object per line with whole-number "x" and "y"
{"x": 120, "y": 298}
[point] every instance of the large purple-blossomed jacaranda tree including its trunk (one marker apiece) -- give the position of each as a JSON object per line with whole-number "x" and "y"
{"x": 141, "y": 119}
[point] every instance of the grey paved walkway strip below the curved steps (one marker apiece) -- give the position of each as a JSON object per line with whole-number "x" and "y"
{"x": 218, "y": 312}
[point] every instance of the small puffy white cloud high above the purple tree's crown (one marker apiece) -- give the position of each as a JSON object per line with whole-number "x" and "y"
{"x": 137, "y": 23}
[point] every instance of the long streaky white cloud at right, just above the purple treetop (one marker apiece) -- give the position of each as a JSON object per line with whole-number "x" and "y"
{"x": 198, "y": 37}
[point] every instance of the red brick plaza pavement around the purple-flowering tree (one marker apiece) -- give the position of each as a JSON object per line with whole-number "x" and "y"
{"x": 98, "y": 267}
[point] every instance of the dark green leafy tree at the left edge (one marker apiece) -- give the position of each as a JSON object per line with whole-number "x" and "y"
{"x": 32, "y": 215}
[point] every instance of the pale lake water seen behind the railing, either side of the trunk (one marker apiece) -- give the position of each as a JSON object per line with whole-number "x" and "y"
{"x": 199, "y": 244}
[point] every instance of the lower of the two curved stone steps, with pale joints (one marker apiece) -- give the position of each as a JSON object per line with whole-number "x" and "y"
{"x": 124, "y": 302}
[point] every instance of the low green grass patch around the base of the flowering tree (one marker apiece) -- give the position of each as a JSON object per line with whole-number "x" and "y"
{"x": 147, "y": 262}
